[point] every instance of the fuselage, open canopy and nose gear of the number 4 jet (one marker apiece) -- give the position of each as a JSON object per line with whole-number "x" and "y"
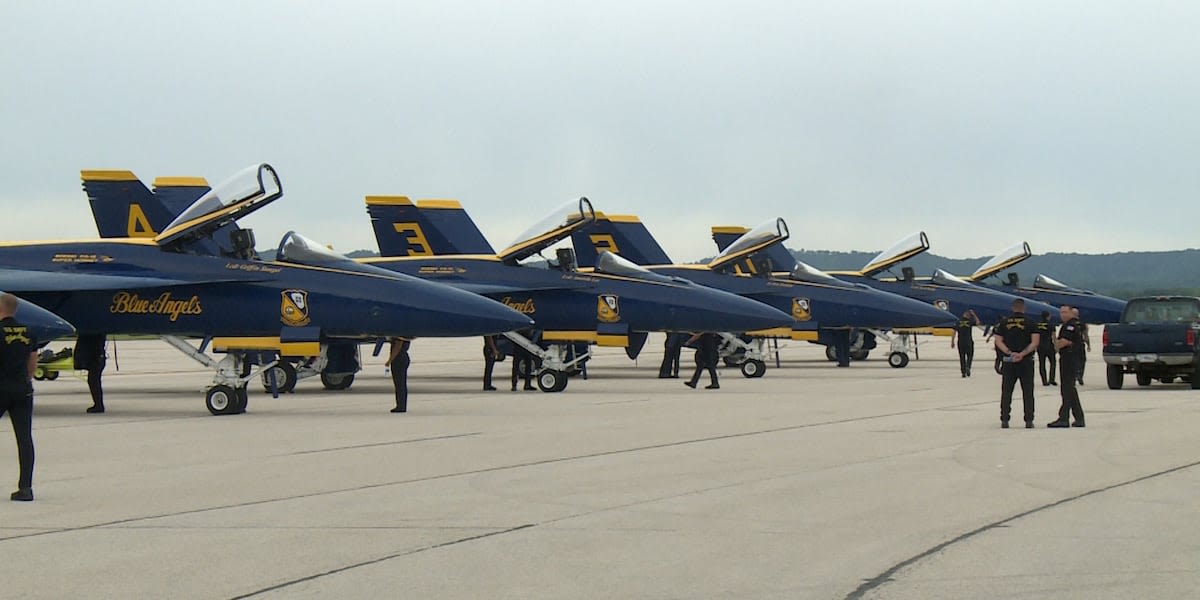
{"x": 254, "y": 310}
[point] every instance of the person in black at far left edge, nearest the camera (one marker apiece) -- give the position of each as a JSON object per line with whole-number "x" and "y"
{"x": 19, "y": 361}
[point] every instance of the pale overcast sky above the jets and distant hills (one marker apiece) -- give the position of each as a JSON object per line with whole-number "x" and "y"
{"x": 983, "y": 124}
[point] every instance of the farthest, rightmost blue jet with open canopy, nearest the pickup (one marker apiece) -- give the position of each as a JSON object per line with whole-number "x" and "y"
{"x": 1094, "y": 309}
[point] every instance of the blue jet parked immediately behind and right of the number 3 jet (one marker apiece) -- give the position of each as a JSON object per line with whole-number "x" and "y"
{"x": 823, "y": 309}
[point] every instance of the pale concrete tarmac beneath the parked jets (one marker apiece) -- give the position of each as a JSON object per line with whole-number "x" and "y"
{"x": 813, "y": 482}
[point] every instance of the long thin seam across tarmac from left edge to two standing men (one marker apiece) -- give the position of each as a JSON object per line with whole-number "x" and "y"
{"x": 488, "y": 470}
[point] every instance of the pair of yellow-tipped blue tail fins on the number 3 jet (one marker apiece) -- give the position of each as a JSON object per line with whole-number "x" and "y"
{"x": 405, "y": 229}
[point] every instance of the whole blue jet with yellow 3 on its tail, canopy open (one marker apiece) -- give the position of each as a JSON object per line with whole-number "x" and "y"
{"x": 616, "y": 304}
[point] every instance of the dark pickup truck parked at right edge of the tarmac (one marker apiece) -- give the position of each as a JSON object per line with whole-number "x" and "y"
{"x": 1156, "y": 340}
